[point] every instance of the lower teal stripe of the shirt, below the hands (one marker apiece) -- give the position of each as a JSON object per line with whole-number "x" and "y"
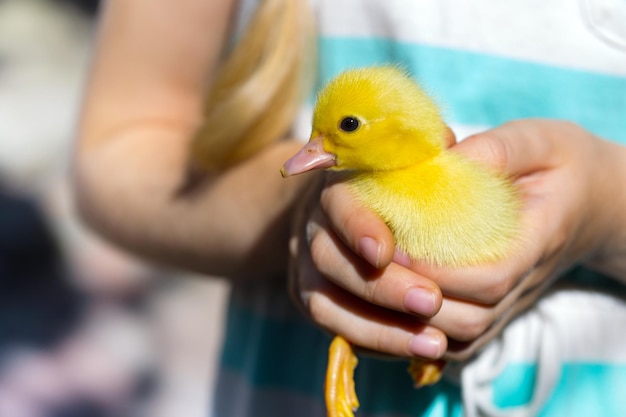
{"x": 290, "y": 355}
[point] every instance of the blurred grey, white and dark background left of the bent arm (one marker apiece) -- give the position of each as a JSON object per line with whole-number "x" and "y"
{"x": 86, "y": 330}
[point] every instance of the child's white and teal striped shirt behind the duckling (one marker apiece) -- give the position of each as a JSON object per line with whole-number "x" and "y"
{"x": 487, "y": 63}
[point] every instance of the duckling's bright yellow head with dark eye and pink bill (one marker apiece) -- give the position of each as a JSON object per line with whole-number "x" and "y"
{"x": 371, "y": 119}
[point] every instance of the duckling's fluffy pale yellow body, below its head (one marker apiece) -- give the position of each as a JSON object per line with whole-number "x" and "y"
{"x": 446, "y": 211}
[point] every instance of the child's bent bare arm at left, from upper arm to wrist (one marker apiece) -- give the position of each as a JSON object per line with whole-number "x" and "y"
{"x": 143, "y": 102}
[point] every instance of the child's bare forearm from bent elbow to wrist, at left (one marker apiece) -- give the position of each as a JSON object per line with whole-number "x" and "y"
{"x": 236, "y": 221}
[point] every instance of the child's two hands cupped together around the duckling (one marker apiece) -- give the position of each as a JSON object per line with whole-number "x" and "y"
{"x": 571, "y": 184}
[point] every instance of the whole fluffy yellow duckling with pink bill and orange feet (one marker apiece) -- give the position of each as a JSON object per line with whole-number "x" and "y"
{"x": 380, "y": 128}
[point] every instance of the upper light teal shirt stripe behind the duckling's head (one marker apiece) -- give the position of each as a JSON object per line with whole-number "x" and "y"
{"x": 487, "y": 90}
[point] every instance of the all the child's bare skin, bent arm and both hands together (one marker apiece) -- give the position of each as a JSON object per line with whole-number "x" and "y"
{"x": 154, "y": 60}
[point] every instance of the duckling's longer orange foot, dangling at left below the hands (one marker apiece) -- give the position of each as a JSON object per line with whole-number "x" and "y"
{"x": 341, "y": 400}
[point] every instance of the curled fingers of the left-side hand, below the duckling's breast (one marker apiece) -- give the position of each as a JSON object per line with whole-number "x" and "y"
{"x": 344, "y": 293}
